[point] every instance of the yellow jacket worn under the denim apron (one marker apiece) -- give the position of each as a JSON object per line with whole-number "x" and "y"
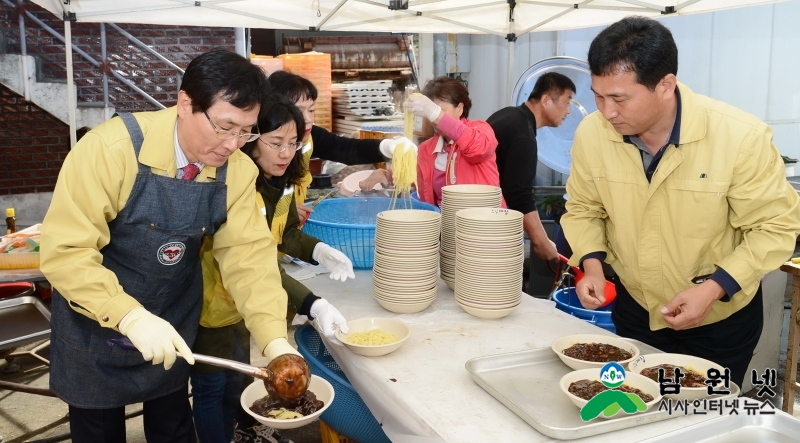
{"x": 93, "y": 186}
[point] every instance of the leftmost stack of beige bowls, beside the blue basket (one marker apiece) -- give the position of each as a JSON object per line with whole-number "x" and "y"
{"x": 406, "y": 249}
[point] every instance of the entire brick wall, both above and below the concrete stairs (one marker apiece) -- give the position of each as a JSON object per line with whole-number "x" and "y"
{"x": 33, "y": 143}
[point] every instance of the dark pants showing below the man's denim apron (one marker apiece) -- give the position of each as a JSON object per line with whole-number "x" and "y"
{"x": 167, "y": 419}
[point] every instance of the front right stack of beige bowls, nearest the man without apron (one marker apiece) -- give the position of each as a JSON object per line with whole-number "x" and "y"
{"x": 489, "y": 256}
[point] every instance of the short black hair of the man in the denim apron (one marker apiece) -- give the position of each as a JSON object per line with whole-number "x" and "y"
{"x": 223, "y": 74}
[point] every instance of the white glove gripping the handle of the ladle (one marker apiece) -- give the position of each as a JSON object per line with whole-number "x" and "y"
{"x": 154, "y": 337}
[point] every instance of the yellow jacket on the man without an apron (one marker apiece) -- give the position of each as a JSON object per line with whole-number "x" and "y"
{"x": 720, "y": 199}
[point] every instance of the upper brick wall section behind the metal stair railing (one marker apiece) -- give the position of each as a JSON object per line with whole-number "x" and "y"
{"x": 179, "y": 44}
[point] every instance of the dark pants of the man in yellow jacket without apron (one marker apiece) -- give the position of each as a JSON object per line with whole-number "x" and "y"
{"x": 729, "y": 343}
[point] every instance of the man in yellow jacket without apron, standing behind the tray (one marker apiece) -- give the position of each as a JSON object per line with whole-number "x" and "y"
{"x": 682, "y": 195}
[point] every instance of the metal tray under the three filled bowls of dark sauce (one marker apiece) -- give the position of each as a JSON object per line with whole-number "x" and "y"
{"x": 526, "y": 382}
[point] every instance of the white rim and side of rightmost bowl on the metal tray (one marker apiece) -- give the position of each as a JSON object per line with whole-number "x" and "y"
{"x": 692, "y": 363}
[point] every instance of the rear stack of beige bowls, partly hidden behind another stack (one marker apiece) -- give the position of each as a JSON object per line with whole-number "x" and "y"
{"x": 455, "y": 198}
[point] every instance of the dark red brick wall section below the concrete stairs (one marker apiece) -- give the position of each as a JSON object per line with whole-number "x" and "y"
{"x": 33, "y": 145}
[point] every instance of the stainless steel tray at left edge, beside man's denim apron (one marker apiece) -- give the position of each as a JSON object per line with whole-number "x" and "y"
{"x": 23, "y": 320}
